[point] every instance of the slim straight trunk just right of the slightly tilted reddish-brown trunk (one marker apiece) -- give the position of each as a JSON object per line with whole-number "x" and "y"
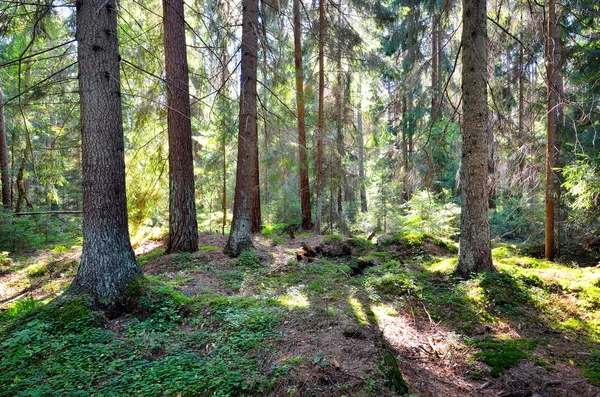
{"x": 320, "y": 117}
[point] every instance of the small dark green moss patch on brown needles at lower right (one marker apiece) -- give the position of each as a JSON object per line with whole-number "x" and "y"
{"x": 503, "y": 354}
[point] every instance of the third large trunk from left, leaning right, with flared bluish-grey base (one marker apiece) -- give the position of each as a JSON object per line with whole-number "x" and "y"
{"x": 240, "y": 236}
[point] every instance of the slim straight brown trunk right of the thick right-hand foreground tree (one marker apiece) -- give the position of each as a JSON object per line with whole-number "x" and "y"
{"x": 552, "y": 91}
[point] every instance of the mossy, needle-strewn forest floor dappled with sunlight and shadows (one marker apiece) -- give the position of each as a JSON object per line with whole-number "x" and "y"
{"x": 358, "y": 319}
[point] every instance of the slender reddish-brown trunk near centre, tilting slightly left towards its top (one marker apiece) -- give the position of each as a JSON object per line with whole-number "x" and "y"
{"x": 302, "y": 155}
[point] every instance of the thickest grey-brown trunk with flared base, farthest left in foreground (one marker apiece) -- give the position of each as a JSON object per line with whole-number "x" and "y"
{"x": 107, "y": 260}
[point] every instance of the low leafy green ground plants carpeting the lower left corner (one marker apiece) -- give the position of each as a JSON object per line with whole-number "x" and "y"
{"x": 63, "y": 349}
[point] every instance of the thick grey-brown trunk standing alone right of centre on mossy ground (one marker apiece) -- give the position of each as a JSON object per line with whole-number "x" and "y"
{"x": 474, "y": 253}
